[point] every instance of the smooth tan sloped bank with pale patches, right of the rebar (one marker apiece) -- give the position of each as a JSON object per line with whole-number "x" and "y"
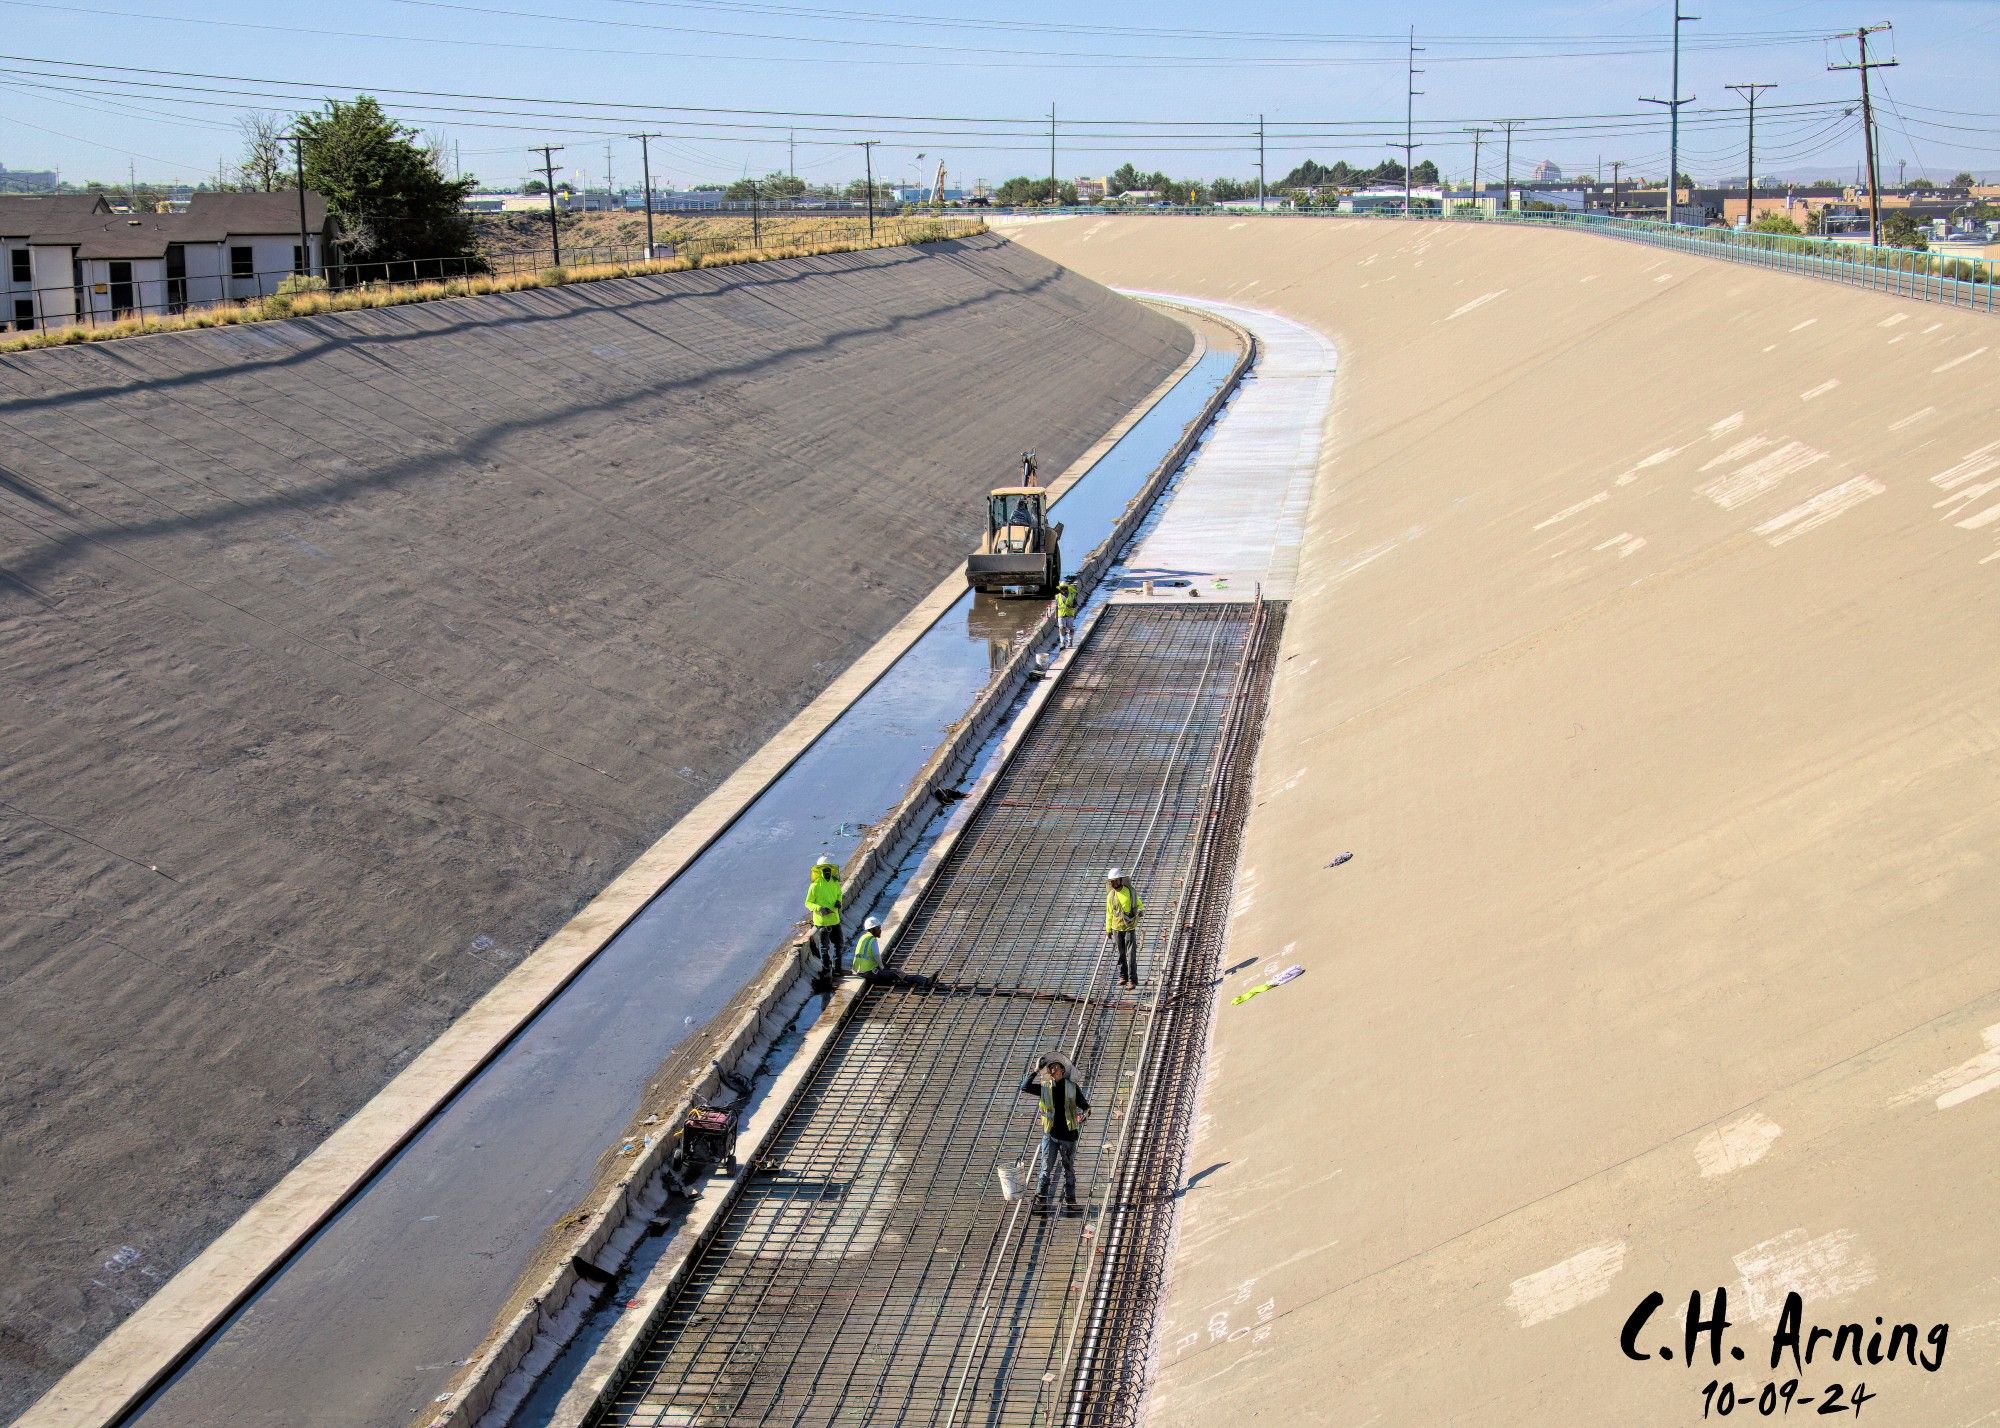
{"x": 1647, "y": 657}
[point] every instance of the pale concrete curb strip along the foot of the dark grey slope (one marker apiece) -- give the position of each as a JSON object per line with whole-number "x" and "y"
{"x": 161, "y": 1335}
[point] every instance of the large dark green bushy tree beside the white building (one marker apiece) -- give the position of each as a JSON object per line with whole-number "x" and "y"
{"x": 383, "y": 187}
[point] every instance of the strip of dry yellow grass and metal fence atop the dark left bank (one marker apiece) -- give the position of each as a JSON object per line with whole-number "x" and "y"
{"x": 169, "y": 295}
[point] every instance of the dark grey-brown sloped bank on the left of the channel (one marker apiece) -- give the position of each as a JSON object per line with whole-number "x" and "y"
{"x": 345, "y": 659}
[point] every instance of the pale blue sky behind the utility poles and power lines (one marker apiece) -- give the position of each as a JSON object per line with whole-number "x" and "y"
{"x": 1169, "y": 85}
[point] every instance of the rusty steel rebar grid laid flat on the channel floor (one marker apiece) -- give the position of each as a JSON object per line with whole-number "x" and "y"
{"x": 871, "y": 1269}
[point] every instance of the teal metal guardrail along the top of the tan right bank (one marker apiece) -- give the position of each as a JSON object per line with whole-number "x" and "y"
{"x": 1927, "y": 277}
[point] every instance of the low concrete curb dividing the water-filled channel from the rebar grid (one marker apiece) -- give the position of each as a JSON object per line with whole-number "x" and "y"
{"x": 539, "y": 1331}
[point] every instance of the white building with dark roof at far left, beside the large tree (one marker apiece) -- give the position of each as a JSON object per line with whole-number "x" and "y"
{"x": 75, "y": 261}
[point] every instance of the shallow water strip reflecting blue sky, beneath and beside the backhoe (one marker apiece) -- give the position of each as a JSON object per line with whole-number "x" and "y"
{"x": 367, "y": 1323}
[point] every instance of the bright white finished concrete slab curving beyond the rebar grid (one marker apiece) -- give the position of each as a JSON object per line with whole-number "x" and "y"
{"x": 1239, "y": 509}
